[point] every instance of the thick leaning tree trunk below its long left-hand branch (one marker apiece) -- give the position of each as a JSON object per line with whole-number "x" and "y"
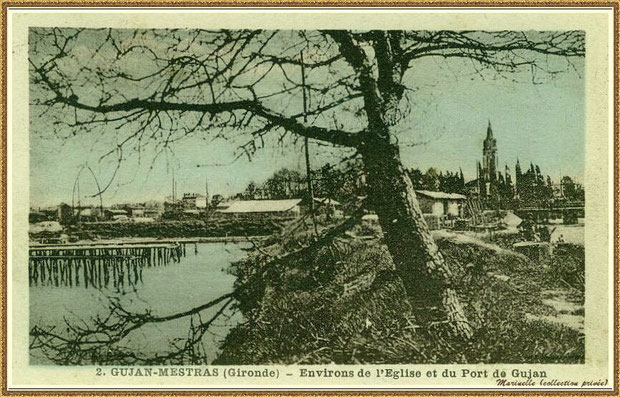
{"x": 426, "y": 276}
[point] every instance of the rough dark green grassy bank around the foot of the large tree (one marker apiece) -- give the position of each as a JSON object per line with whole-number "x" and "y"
{"x": 341, "y": 303}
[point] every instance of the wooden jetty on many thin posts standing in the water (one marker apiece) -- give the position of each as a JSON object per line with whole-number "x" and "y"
{"x": 98, "y": 265}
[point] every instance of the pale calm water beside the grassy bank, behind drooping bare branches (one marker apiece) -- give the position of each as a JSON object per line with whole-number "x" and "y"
{"x": 165, "y": 290}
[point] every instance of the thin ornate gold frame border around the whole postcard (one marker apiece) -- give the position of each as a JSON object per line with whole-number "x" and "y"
{"x": 615, "y": 4}
